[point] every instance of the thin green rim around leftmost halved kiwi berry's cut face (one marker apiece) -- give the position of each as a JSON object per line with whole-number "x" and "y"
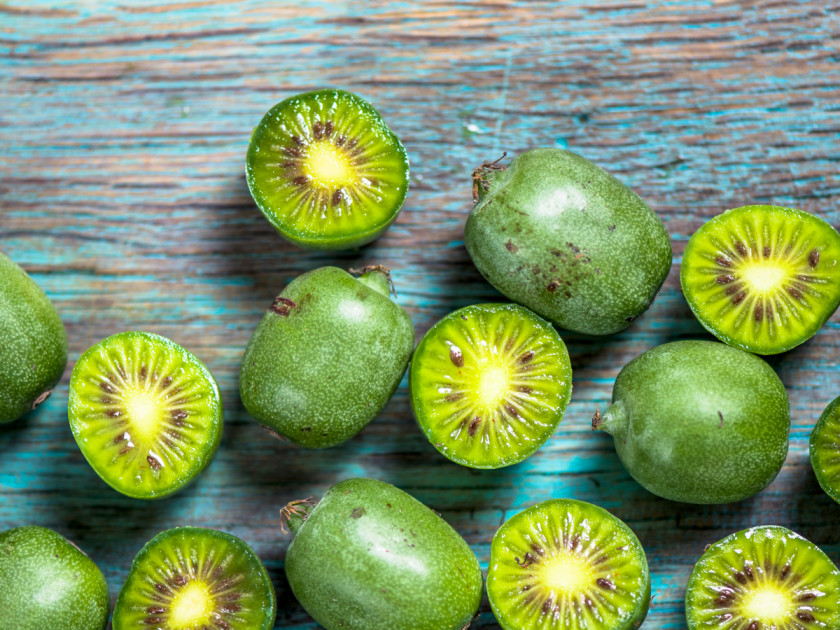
{"x": 213, "y": 439}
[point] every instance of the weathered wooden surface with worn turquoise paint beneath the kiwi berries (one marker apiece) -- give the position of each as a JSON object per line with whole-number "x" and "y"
{"x": 123, "y": 129}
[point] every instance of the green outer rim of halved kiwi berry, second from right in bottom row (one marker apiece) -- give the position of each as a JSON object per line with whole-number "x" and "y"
{"x": 497, "y": 553}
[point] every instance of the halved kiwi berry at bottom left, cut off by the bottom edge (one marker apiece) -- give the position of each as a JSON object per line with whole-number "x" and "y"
{"x": 189, "y": 578}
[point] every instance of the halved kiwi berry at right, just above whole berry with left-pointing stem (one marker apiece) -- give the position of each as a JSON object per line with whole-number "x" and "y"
{"x": 763, "y": 278}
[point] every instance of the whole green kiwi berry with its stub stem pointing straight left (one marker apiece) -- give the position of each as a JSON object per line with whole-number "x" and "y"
{"x": 700, "y": 422}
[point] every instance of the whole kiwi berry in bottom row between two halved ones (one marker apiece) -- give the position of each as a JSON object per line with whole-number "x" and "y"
{"x": 371, "y": 557}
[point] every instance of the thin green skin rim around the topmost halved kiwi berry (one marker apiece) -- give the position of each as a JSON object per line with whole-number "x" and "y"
{"x": 349, "y": 241}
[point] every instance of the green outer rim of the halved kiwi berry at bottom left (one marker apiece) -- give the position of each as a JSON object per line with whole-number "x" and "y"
{"x": 175, "y": 535}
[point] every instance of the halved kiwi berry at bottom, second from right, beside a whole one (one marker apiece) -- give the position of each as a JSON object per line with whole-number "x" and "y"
{"x": 565, "y": 564}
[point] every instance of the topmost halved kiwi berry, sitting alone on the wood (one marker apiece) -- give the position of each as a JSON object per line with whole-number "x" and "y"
{"x": 326, "y": 171}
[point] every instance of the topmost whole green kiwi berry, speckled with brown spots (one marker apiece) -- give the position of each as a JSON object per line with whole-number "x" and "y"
{"x": 563, "y": 237}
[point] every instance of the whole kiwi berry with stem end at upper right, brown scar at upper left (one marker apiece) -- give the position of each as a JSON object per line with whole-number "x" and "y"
{"x": 320, "y": 372}
